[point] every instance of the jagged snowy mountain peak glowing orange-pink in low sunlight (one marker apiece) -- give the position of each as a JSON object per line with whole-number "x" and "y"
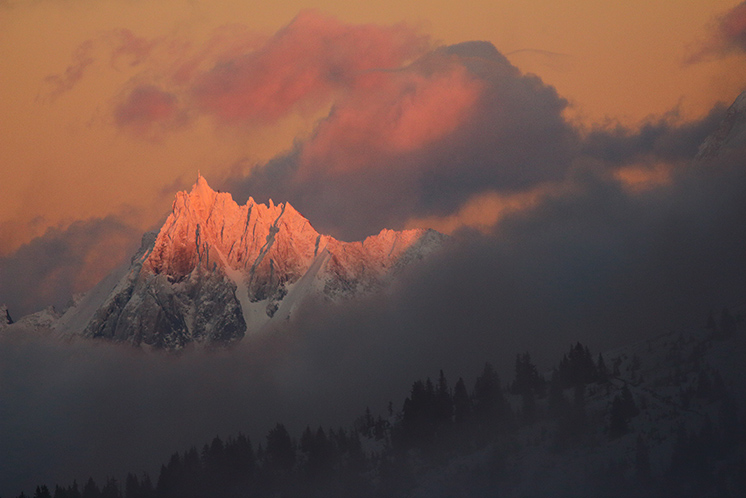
{"x": 217, "y": 271}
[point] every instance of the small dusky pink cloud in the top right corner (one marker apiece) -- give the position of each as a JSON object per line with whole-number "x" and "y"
{"x": 727, "y": 36}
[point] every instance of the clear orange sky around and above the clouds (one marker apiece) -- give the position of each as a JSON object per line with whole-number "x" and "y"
{"x": 62, "y": 157}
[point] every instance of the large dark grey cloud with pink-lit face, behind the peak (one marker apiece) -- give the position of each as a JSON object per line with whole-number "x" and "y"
{"x": 420, "y": 141}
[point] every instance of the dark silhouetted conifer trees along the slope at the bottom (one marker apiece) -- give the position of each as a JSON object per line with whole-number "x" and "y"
{"x": 379, "y": 455}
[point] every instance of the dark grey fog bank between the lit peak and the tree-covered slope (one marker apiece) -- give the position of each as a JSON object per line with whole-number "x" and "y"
{"x": 590, "y": 262}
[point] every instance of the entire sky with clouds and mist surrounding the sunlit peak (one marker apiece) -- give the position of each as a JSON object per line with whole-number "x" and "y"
{"x": 555, "y": 141}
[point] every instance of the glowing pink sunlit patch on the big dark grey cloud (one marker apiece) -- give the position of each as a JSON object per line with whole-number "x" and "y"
{"x": 392, "y": 113}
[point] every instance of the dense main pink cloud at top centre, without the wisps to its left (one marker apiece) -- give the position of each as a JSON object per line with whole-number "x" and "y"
{"x": 302, "y": 64}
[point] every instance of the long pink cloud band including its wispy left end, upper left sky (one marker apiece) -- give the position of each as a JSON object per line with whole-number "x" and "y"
{"x": 239, "y": 77}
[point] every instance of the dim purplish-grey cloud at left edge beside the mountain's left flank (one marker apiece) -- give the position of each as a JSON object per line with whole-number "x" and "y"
{"x": 54, "y": 266}
